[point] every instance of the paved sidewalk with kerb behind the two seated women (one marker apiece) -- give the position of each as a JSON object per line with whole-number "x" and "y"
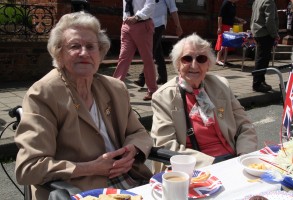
{"x": 11, "y": 95}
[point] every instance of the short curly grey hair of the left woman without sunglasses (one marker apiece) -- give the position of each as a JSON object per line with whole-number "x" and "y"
{"x": 76, "y": 19}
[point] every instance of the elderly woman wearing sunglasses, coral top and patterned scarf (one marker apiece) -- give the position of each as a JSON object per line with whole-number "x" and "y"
{"x": 196, "y": 113}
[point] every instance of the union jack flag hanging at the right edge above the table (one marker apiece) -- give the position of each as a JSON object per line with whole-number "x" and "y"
{"x": 288, "y": 106}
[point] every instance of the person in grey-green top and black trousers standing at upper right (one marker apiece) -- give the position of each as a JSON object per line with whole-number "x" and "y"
{"x": 264, "y": 26}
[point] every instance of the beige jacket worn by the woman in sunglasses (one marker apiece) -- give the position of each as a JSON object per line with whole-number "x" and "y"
{"x": 169, "y": 123}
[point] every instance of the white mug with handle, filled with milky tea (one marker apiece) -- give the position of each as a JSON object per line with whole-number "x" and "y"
{"x": 175, "y": 186}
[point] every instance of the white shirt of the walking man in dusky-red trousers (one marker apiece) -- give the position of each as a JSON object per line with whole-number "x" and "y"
{"x": 142, "y": 8}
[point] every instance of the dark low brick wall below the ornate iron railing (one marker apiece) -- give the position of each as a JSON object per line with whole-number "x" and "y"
{"x": 23, "y": 61}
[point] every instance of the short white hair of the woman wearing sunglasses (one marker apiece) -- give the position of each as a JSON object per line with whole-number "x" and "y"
{"x": 202, "y": 45}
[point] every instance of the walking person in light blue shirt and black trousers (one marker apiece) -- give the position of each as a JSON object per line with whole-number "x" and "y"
{"x": 160, "y": 20}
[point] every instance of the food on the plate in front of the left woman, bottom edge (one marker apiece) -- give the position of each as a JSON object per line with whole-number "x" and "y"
{"x": 113, "y": 197}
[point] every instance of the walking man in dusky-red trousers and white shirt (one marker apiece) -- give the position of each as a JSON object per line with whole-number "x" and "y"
{"x": 137, "y": 33}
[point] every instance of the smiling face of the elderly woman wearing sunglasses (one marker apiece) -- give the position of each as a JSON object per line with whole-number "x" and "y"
{"x": 193, "y": 65}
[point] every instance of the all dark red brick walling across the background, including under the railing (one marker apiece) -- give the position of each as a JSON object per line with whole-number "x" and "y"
{"x": 25, "y": 60}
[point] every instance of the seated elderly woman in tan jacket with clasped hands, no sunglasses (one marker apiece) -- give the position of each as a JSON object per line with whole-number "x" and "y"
{"x": 78, "y": 125}
